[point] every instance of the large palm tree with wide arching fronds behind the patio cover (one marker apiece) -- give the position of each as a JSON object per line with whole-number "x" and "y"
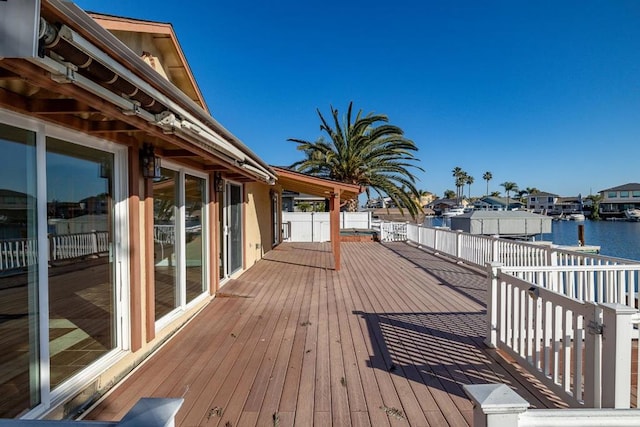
{"x": 367, "y": 151}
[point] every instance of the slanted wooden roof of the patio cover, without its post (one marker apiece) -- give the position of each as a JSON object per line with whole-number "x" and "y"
{"x": 322, "y": 187}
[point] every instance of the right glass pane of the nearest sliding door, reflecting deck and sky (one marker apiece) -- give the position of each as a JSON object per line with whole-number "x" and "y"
{"x": 82, "y": 292}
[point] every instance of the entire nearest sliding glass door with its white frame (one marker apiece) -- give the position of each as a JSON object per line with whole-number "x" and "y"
{"x": 63, "y": 224}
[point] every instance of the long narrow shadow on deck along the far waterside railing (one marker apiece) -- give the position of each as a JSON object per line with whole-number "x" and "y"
{"x": 465, "y": 281}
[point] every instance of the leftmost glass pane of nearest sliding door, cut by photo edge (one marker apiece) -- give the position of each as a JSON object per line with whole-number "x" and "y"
{"x": 19, "y": 358}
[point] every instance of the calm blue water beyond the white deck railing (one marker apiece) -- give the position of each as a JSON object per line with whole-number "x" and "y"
{"x": 616, "y": 238}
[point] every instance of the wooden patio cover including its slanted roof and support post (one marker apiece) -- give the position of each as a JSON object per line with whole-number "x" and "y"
{"x": 335, "y": 191}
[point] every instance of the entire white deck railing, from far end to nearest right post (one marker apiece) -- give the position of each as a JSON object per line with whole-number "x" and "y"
{"x": 568, "y": 317}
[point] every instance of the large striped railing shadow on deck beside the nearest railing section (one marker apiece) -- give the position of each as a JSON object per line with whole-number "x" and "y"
{"x": 441, "y": 350}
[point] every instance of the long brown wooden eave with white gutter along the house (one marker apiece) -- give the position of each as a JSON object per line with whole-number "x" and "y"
{"x": 90, "y": 81}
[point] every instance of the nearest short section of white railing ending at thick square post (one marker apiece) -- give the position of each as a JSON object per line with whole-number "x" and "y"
{"x": 579, "y": 348}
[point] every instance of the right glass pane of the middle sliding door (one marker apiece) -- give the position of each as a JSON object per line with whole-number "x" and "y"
{"x": 195, "y": 193}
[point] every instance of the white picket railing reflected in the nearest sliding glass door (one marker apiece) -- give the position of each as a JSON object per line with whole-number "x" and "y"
{"x": 16, "y": 254}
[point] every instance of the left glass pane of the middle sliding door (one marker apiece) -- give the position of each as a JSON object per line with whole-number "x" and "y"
{"x": 165, "y": 215}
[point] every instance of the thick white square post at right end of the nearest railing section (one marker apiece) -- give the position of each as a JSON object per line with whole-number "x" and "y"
{"x": 616, "y": 350}
